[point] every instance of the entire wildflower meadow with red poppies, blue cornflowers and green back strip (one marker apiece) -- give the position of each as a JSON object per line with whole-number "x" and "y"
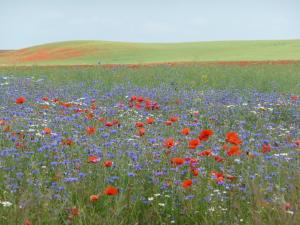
{"x": 164, "y": 144}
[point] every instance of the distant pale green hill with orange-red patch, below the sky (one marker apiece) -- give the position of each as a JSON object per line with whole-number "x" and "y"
{"x": 93, "y": 52}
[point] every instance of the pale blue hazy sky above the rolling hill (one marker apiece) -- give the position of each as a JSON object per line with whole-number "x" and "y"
{"x": 25, "y": 23}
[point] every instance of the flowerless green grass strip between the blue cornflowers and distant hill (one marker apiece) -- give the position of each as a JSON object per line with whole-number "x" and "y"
{"x": 266, "y": 78}
